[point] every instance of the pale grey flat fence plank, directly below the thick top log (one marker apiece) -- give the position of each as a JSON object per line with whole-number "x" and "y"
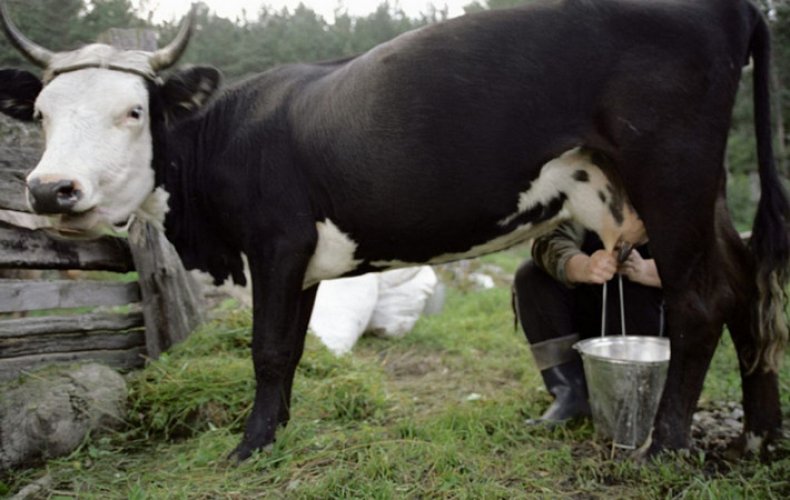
{"x": 28, "y": 295}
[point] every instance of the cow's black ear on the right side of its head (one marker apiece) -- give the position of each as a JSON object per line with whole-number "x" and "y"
{"x": 187, "y": 90}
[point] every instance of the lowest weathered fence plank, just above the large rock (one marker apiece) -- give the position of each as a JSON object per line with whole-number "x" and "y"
{"x": 126, "y": 359}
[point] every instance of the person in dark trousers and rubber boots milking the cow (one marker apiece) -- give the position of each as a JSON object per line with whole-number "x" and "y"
{"x": 558, "y": 302}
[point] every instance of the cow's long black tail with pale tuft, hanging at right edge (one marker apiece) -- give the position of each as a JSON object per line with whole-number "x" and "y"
{"x": 769, "y": 243}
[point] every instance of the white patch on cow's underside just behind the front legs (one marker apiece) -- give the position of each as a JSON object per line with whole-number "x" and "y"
{"x": 333, "y": 257}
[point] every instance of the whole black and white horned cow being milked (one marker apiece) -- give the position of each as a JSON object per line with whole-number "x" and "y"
{"x": 447, "y": 142}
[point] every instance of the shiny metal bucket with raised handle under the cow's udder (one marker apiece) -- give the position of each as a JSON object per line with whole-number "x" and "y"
{"x": 625, "y": 379}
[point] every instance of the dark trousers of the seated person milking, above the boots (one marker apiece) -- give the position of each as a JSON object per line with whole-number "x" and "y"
{"x": 549, "y": 310}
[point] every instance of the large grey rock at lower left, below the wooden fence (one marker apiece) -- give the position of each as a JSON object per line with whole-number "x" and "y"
{"x": 50, "y": 413}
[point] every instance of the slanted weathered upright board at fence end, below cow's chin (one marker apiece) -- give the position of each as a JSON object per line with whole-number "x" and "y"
{"x": 171, "y": 304}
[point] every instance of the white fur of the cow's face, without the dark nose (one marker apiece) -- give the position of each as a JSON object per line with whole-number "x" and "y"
{"x": 98, "y": 135}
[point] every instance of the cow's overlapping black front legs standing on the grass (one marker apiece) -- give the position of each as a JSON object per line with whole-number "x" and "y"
{"x": 281, "y": 310}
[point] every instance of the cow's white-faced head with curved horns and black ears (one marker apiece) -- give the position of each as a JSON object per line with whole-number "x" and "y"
{"x": 94, "y": 105}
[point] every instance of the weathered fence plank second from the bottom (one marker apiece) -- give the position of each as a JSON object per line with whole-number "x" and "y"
{"x": 13, "y": 347}
